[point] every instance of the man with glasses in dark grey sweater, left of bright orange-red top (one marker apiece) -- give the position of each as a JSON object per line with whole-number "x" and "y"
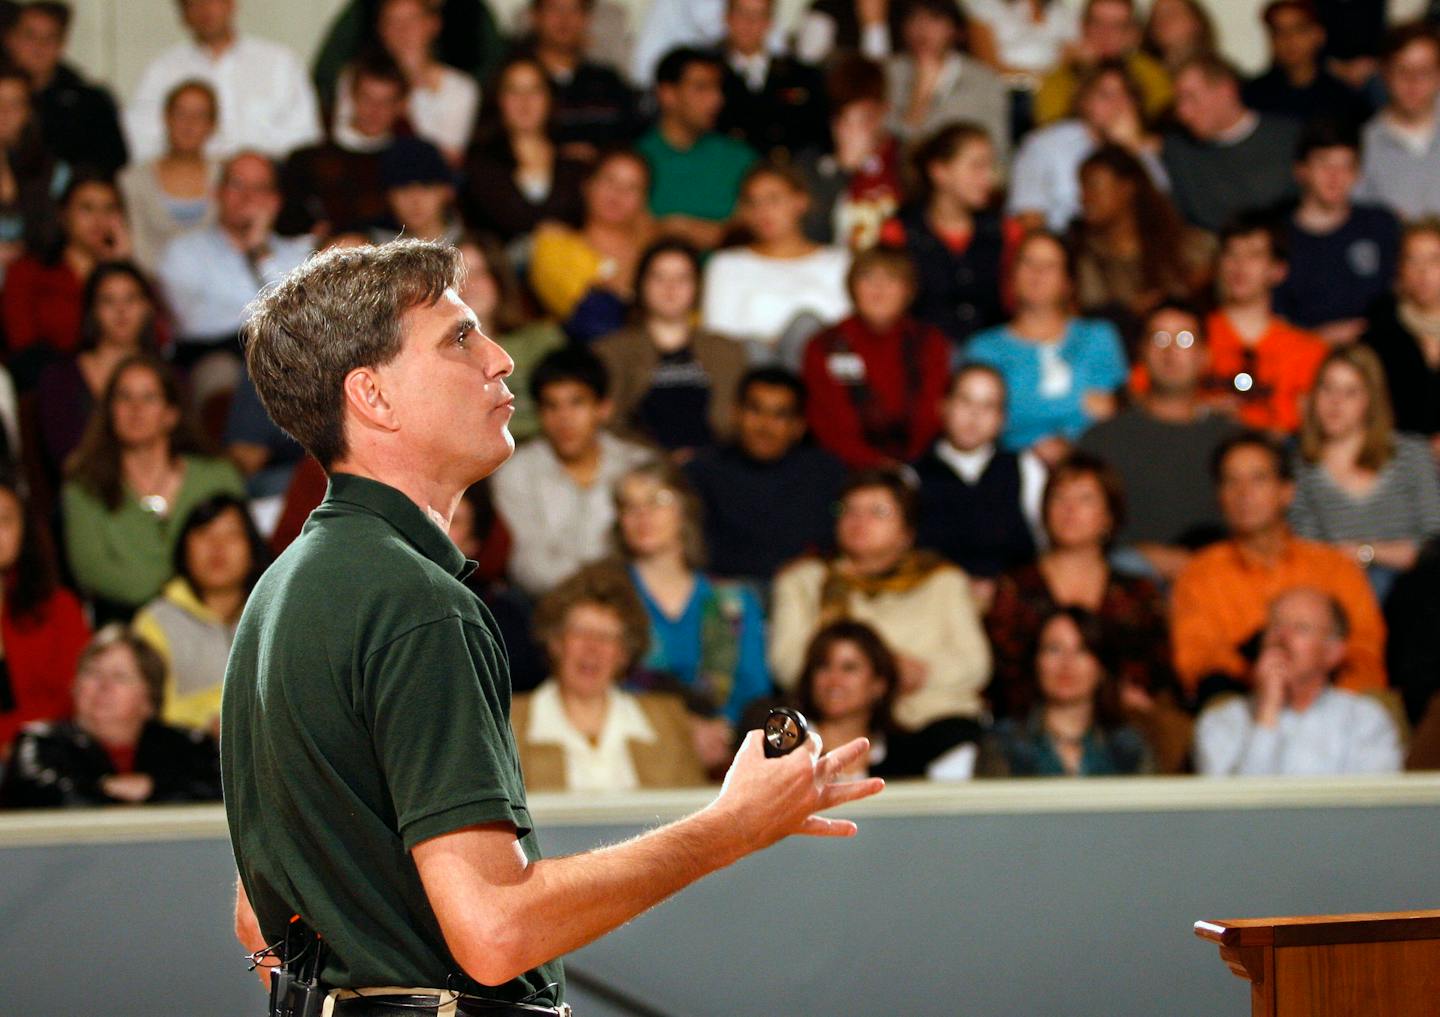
{"x": 1170, "y": 512}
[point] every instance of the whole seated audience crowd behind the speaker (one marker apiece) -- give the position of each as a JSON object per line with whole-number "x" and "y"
{"x": 1014, "y": 382}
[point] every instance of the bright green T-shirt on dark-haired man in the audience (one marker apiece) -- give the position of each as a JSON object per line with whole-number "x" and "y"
{"x": 702, "y": 181}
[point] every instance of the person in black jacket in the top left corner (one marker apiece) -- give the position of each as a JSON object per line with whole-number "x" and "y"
{"x": 80, "y": 122}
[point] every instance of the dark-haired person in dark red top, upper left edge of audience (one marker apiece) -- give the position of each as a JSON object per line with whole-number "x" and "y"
{"x": 44, "y": 299}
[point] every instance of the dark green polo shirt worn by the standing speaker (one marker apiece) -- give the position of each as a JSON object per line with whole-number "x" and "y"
{"x": 366, "y": 709}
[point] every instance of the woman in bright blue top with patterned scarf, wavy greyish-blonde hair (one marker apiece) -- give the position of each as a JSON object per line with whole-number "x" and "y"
{"x": 705, "y": 633}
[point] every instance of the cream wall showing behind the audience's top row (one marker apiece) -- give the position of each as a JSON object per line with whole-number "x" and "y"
{"x": 117, "y": 38}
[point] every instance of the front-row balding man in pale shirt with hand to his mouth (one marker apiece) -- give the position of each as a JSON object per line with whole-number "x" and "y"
{"x": 1297, "y": 722}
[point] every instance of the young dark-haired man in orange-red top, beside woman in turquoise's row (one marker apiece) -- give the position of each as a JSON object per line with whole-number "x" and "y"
{"x": 1259, "y": 364}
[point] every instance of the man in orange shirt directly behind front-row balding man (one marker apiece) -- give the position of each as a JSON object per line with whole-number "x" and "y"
{"x": 1222, "y": 597}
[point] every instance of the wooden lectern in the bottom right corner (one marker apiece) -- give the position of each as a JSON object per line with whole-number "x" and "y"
{"x": 1336, "y": 966}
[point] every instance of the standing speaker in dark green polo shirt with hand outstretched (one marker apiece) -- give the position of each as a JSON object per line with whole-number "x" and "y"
{"x": 371, "y": 776}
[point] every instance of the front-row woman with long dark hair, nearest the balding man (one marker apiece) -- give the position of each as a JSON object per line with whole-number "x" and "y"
{"x": 1074, "y": 724}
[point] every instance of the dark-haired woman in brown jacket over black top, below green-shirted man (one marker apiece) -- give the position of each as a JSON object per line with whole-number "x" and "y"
{"x": 672, "y": 384}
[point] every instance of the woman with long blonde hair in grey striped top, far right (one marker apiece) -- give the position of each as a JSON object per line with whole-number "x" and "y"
{"x": 1360, "y": 485}
